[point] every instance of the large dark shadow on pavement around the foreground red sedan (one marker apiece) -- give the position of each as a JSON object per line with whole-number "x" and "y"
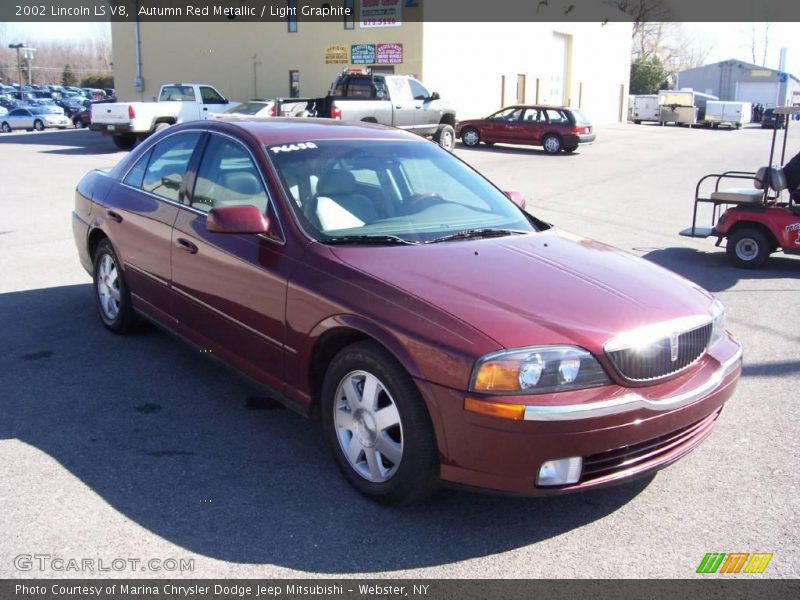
{"x": 198, "y": 456}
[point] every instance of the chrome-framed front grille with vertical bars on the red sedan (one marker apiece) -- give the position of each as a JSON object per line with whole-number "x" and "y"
{"x": 661, "y": 358}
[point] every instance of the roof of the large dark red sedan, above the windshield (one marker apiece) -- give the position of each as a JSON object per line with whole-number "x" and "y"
{"x": 301, "y": 129}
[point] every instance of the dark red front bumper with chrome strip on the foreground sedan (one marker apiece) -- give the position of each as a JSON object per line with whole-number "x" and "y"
{"x": 621, "y": 433}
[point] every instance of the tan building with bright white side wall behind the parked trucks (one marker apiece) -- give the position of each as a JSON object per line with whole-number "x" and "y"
{"x": 478, "y": 67}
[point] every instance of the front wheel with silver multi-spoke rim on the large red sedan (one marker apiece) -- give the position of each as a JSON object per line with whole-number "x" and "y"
{"x": 391, "y": 425}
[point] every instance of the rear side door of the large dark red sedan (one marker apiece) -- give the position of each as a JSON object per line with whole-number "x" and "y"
{"x": 139, "y": 217}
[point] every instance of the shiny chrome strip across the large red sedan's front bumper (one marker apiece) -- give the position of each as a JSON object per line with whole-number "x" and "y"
{"x": 632, "y": 401}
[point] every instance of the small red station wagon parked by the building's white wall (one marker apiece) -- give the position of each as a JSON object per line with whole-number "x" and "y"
{"x": 555, "y": 128}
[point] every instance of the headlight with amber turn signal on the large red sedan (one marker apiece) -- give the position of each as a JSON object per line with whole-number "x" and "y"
{"x": 537, "y": 370}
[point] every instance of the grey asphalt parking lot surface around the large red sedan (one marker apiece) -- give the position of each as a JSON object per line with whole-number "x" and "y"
{"x": 142, "y": 448}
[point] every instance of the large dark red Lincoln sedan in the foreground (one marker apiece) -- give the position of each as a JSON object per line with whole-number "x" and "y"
{"x": 442, "y": 333}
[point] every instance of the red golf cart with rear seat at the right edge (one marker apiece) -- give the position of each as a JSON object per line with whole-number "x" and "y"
{"x": 756, "y": 221}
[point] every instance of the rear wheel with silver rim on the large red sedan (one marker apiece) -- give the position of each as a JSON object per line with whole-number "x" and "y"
{"x": 111, "y": 292}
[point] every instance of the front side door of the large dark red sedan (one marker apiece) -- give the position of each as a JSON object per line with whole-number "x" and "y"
{"x": 230, "y": 290}
